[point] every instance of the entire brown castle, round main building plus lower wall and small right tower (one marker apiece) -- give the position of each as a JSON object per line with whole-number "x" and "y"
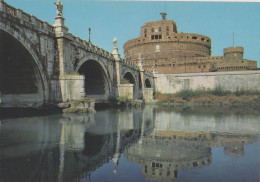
{"x": 165, "y": 50}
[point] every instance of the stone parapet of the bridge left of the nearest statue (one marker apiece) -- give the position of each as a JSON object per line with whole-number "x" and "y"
{"x": 25, "y": 16}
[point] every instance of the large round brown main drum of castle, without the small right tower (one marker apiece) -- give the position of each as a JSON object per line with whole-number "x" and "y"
{"x": 160, "y": 40}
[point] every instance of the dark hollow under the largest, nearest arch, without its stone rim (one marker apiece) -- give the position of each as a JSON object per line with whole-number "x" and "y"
{"x": 19, "y": 74}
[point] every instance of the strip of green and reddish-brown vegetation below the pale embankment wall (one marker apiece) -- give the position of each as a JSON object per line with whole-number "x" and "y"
{"x": 215, "y": 96}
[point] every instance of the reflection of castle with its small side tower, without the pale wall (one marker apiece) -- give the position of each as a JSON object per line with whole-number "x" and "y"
{"x": 162, "y": 154}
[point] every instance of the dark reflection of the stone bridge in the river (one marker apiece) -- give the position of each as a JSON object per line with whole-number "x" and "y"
{"x": 67, "y": 147}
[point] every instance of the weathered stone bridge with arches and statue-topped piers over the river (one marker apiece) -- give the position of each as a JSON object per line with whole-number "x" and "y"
{"x": 42, "y": 64}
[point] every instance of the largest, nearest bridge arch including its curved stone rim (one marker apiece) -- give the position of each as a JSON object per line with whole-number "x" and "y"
{"x": 23, "y": 79}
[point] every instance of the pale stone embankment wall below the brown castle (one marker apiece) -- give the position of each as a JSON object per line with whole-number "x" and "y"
{"x": 172, "y": 83}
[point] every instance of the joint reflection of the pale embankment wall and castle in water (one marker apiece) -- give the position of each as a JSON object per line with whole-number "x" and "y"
{"x": 179, "y": 142}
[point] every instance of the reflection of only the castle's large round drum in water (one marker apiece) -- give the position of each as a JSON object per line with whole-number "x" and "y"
{"x": 161, "y": 157}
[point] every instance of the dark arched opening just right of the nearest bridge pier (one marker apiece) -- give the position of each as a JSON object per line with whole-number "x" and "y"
{"x": 96, "y": 84}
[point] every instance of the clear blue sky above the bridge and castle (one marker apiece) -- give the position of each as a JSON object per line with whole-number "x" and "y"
{"x": 123, "y": 19}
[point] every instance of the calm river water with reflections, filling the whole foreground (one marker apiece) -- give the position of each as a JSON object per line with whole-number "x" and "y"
{"x": 150, "y": 144}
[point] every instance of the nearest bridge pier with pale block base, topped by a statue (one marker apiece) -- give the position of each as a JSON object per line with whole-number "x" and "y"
{"x": 72, "y": 85}
